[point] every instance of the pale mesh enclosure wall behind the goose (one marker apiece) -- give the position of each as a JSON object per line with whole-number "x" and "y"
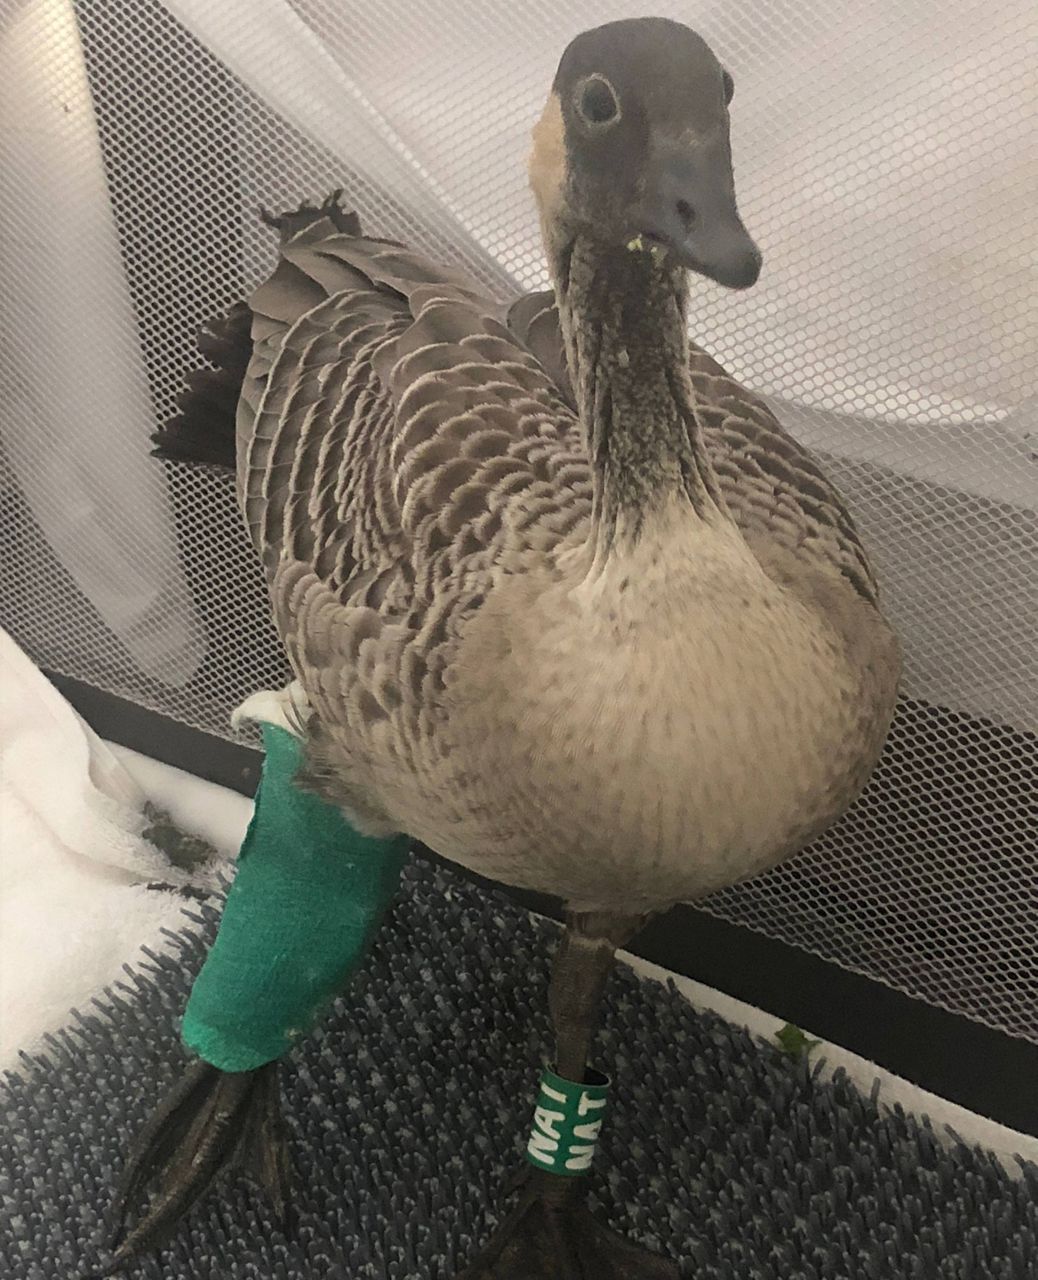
{"x": 884, "y": 163}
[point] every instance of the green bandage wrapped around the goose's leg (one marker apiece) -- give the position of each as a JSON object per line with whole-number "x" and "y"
{"x": 304, "y": 908}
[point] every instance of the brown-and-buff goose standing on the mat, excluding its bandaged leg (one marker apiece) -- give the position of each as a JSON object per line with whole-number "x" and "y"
{"x": 568, "y": 604}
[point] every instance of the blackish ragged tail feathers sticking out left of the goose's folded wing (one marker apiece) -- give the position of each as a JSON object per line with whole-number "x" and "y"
{"x": 204, "y": 429}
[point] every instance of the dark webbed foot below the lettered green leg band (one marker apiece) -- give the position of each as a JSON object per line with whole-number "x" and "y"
{"x": 551, "y": 1236}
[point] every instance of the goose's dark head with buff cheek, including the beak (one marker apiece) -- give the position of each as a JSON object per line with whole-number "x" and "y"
{"x": 633, "y": 149}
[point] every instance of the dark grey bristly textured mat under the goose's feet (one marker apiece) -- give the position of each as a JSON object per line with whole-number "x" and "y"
{"x": 411, "y": 1105}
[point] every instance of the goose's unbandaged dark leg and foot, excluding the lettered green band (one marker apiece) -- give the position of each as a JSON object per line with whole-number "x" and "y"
{"x": 551, "y": 1235}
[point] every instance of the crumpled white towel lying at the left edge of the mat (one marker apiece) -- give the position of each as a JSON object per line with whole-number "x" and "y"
{"x": 75, "y": 861}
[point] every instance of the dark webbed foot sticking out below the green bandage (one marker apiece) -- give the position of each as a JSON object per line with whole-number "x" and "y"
{"x": 212, "y": 1122}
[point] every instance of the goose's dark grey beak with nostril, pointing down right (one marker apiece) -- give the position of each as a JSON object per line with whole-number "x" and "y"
{"x": 691, "y": 209}
